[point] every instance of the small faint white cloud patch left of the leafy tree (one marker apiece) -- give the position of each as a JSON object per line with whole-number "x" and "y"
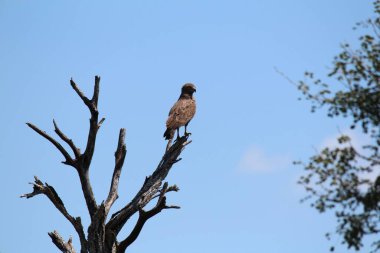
{"x": 256, "y": 160}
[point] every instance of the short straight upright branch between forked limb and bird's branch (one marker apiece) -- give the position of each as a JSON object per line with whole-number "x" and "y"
{"x": 120, "y": 153}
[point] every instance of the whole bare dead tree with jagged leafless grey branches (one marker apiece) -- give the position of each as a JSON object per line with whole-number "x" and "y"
{"x": 102, "y": 233}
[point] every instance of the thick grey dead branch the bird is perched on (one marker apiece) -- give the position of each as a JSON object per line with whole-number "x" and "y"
{"x": 149, "y": 188}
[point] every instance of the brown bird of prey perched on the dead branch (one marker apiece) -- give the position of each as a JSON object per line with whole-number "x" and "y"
{"x": 182, "y": 112}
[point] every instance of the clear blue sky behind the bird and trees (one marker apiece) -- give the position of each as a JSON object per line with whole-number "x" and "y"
{"x": 238, "y": 184}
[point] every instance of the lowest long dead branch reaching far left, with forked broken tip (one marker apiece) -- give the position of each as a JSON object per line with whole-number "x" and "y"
{"x": 49, "y": 191}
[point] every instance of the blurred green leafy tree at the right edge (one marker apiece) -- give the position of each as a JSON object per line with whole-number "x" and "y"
{"x": 339, "y": 178}
